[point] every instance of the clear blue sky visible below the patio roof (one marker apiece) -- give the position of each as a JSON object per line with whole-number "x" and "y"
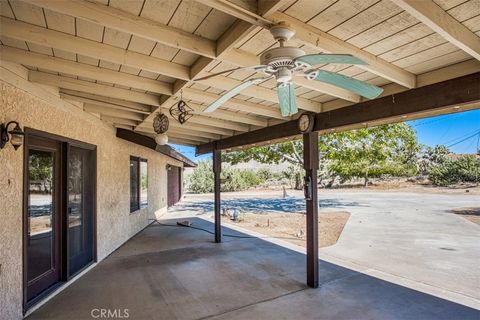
{"x": 449, "y": 130}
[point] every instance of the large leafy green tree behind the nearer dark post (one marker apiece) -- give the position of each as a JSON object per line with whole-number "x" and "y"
{"x": 367, "y": 152}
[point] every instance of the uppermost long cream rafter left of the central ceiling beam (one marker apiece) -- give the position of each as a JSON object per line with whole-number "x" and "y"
{"x": 120, "y": 20}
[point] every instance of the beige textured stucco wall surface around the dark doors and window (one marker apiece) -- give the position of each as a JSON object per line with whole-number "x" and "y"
{"x": 115, "y": 224}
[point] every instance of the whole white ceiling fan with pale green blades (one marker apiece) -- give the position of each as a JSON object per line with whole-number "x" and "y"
{"x": 284, "y": 63}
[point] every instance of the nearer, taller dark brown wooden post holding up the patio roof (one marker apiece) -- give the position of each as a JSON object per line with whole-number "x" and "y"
{"x": 310, "y": 163}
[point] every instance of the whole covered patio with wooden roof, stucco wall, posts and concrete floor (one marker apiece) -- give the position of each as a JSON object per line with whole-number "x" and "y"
{"x": 123, "y": 78}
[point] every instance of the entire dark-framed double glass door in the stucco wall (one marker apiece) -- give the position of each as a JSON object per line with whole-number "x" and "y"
{"x": 59, "y": 211}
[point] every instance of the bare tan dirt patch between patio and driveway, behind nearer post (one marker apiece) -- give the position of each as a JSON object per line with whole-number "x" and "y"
{"x": 291, "y": 227}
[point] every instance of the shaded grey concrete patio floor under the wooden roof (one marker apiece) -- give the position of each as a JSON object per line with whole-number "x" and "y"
{"x": 179, "y": 273}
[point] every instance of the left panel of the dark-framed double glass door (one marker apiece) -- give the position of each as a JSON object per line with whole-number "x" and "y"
{"x": 43, "y": 207}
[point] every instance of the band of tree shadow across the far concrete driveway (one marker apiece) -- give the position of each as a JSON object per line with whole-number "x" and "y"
{"x": 268, "y": 205}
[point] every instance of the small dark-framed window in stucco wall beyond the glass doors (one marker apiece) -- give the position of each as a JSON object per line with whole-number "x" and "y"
{"x": 138, "y": 184}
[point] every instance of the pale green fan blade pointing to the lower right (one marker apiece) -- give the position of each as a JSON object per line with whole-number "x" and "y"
{"x": 359, "y": 87}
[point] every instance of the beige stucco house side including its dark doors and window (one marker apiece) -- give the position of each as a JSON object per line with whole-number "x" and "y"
{"x": 102, "y": 190}
